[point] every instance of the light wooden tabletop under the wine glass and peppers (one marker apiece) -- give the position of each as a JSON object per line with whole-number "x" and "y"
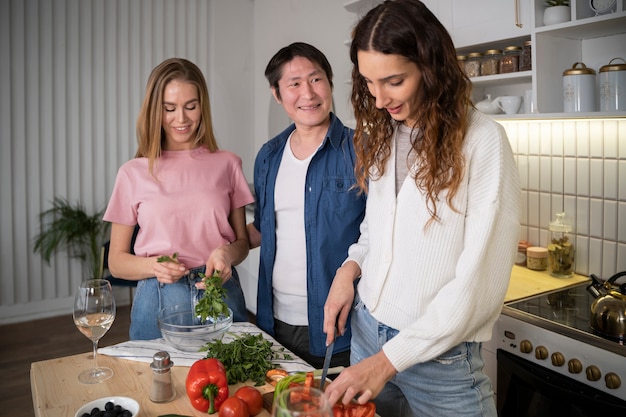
{"x": 58, "y": 393}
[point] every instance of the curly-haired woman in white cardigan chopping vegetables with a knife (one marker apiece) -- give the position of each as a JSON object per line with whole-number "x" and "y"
{"x": 441, "y": 226}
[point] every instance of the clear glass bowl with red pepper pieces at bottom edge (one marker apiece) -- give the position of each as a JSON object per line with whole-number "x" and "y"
{"x": 301, "y": 401}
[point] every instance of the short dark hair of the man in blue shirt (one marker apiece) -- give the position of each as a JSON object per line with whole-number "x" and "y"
{"x": 274, "y": 69}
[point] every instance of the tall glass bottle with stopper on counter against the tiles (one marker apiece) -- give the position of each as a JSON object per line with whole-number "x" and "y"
{"x": 561, "y": 248}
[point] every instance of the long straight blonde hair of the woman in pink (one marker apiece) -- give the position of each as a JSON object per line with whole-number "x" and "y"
{"x": 150, "y": 135}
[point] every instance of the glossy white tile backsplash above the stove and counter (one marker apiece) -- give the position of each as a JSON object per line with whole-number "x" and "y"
{"x": 576, "y": 166}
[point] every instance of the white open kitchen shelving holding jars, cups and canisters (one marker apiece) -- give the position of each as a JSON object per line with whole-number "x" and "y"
{"x": 587, "y": 38}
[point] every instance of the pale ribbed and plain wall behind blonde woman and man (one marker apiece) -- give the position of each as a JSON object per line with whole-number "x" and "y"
{"x": 71, "y": 82}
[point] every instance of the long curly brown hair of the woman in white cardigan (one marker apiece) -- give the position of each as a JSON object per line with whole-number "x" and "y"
{"x": 409, "y": 29}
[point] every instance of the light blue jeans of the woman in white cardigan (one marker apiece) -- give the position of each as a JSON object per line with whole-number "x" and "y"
{"x": 453, "y": 384}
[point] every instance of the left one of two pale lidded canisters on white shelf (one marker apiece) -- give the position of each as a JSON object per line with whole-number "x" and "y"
{"x": 579, "y": 89}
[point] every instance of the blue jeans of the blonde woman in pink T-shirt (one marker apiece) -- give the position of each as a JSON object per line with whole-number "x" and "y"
{"x": 151, "y": 296}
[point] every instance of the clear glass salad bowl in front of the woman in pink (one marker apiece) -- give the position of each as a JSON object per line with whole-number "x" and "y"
{"x": 181, "y": 328}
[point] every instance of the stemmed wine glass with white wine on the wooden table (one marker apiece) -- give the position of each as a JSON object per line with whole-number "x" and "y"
{"x": 94, "y": 312}
